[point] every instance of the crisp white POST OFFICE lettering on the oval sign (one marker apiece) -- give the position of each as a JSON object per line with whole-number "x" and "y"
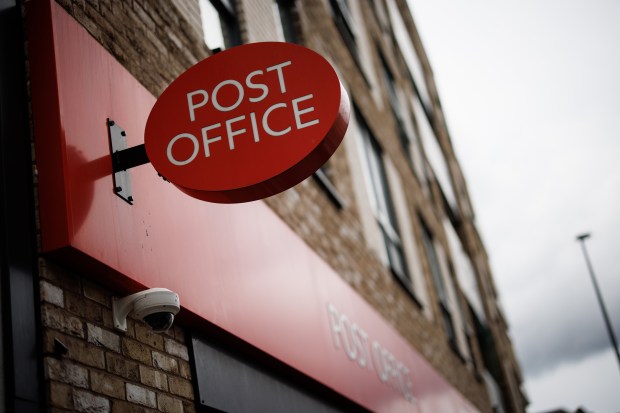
{"x": 253, "y": 124}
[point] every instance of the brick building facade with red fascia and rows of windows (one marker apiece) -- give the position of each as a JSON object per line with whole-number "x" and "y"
{"x": 364, "y": 288}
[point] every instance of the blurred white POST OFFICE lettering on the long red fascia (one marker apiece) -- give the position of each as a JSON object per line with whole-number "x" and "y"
{"x": 369, "y": 354}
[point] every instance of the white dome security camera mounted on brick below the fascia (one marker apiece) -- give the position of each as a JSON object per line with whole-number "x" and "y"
{"x": 155, "y": 306}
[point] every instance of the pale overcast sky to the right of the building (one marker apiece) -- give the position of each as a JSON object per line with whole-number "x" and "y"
{"x": 531, "y": 91}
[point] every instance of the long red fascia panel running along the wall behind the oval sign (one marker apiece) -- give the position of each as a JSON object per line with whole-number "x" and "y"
{"x": 238, "y": 267}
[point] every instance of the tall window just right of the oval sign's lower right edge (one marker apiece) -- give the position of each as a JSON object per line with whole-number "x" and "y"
{"x": 381, "y": 203}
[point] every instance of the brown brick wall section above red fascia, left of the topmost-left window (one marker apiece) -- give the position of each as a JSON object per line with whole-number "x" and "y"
{"x": 156, "y": 40}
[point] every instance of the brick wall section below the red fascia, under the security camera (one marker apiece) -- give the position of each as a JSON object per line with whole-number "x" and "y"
{"x": 90, "y": 367}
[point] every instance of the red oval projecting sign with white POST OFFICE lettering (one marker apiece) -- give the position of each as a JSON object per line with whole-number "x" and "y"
{"x": 248, "y": 122}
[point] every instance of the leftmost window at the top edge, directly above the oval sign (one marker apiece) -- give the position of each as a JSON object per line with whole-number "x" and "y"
{"x": 219, "y": 24}
